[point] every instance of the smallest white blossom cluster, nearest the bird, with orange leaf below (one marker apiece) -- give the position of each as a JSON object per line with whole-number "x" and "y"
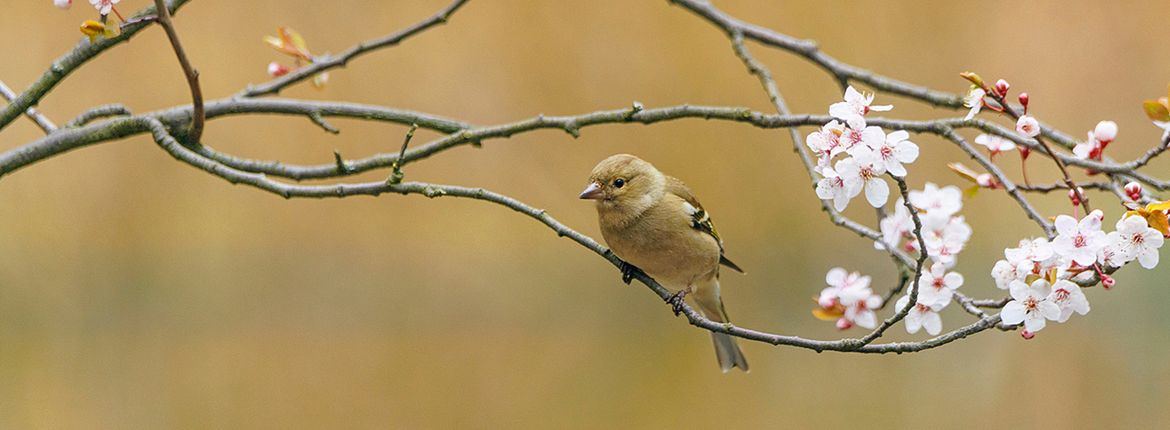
{"x": 849, "y": 301}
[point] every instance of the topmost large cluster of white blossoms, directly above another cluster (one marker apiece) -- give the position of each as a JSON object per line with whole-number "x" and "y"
{"x": 865, "y": 152}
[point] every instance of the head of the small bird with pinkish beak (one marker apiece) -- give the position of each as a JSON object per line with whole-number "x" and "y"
{"x": 624, "y": 183}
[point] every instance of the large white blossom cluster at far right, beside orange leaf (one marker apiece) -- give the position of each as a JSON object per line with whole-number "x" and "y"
{"x": 1044, "y": 278}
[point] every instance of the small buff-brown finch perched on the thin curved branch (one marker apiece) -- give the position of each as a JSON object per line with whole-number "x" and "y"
{"x": 655, "y": 224}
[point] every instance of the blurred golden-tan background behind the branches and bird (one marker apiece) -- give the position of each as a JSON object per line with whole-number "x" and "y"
{"x": 139, "y": 293}
